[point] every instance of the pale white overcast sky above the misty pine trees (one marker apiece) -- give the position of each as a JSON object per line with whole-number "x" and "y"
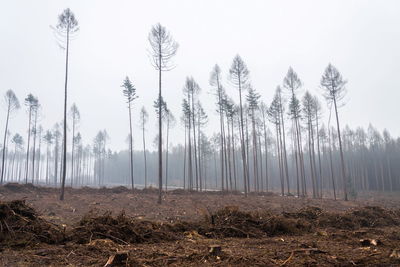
{"x": 361, "y": 38}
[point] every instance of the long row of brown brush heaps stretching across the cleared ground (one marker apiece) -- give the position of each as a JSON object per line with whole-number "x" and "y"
{"x": 20, "y": 225}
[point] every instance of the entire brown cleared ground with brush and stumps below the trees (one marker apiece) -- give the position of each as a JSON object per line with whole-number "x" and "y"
{"x": 197, "y": 229}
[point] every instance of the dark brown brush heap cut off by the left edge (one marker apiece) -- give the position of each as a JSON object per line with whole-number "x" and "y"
{"x": 20, "y": 225}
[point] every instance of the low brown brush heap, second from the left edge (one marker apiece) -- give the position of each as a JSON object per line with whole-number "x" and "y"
{"x": 121, "y": 229}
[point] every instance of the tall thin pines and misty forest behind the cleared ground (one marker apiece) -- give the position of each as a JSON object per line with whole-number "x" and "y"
{"x": 292, "y": 143}
